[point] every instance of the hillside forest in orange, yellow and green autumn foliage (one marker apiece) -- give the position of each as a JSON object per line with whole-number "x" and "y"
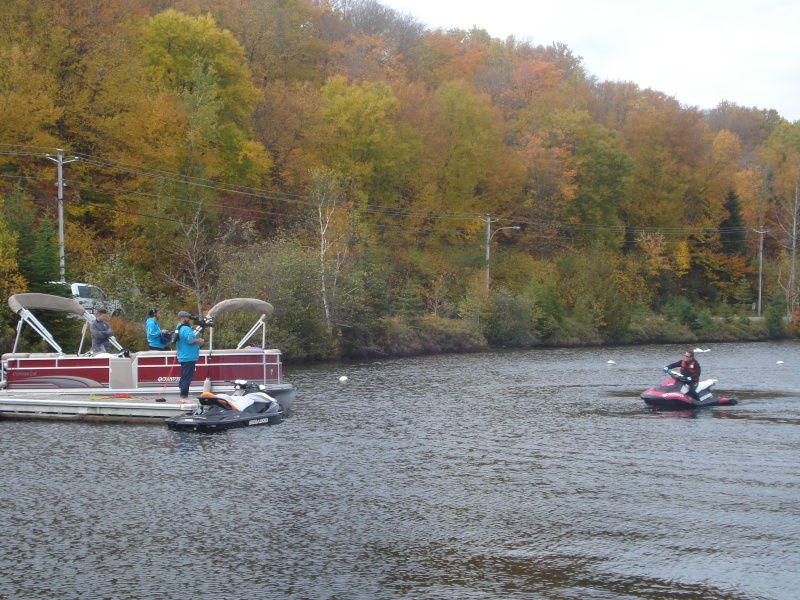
{"x": 391, "y": 189}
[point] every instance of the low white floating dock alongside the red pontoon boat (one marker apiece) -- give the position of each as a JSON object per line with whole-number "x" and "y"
{"x": 90, "y": 408}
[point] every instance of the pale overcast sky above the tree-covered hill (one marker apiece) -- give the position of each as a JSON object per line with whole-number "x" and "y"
{"x": 699, "y": 51}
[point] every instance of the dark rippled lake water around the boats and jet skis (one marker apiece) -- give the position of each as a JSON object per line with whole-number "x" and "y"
{"x": 531, "y": 474}
